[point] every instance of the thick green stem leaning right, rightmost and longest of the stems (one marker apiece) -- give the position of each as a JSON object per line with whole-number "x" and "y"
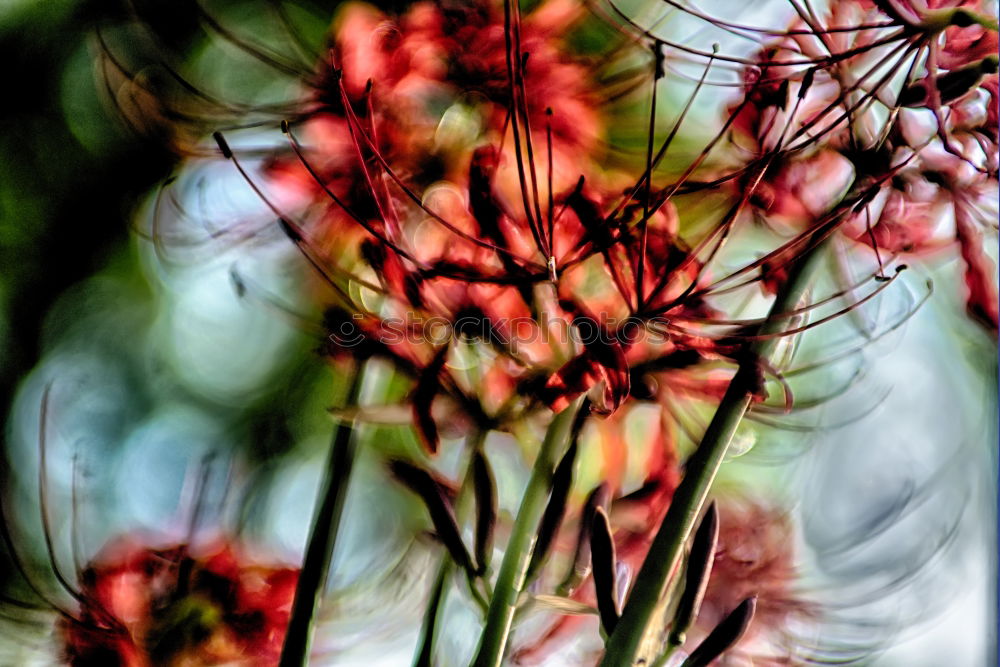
{"x": 700, "y": 471}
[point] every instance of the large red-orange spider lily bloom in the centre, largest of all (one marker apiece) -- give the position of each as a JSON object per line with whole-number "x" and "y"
{"x": 463, "y": 251}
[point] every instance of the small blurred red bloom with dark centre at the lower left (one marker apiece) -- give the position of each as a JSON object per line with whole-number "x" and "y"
{"x": 177, "y": 605}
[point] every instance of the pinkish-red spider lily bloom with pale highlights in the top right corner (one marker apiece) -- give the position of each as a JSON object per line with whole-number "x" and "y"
{"x": 818, "y": 154}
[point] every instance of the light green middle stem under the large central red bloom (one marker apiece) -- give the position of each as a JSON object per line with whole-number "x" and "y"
{"x": 510, "y": 578}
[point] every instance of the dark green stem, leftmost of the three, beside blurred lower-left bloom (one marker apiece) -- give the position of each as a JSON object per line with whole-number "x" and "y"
{"x": 322, "y": 539}
